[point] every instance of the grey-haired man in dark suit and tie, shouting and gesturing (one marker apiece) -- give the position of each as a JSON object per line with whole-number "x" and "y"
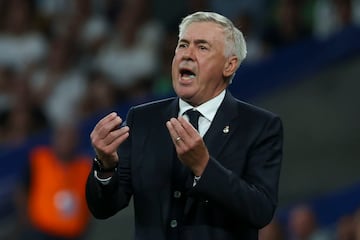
{"x": 202, "y": 165}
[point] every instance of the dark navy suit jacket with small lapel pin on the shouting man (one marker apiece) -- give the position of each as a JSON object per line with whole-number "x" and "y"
{"x": 237, "y": 193}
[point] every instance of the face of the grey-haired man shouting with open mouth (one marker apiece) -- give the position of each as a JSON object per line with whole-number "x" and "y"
{"x": 199, "y": 63}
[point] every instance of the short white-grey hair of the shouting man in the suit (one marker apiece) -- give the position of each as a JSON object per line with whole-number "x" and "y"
{"x": 235, "y": 44}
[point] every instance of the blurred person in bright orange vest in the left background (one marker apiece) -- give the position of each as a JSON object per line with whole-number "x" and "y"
{"x": 53, "y": 190}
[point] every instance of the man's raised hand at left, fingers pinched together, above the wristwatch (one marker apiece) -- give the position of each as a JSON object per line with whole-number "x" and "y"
{"x": 106, "y": 137}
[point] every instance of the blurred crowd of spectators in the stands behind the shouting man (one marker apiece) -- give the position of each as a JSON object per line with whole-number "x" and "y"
{"x": 64, "y": 60}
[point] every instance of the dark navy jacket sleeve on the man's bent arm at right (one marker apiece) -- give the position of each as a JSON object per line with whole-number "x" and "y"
{"x": 250, "y": 196}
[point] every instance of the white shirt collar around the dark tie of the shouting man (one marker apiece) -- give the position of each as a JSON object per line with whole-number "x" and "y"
{"x": 207, "y": 109}
